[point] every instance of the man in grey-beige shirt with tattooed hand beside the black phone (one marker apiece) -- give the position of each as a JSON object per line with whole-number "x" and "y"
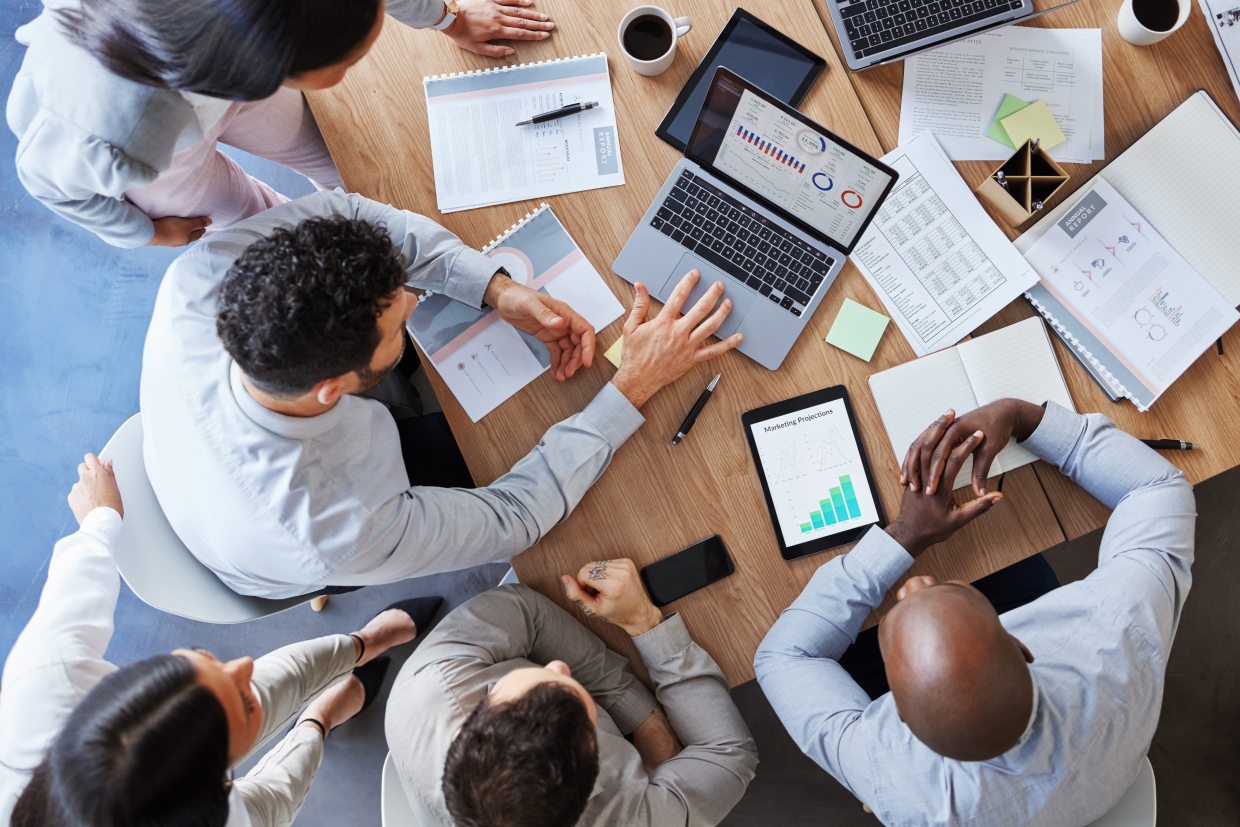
{"x": 514, "y": 714}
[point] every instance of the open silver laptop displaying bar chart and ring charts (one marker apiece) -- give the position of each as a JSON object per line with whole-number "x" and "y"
{"x": 767, "y": 201}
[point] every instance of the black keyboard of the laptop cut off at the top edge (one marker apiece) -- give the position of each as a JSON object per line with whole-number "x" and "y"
{"x": 882, "y": 25}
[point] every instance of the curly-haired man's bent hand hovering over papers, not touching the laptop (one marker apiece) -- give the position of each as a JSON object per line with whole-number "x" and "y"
{"x": 570, "y": 339}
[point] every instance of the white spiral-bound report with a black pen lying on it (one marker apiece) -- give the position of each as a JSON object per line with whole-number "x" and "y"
{"x": 483, "y": 158}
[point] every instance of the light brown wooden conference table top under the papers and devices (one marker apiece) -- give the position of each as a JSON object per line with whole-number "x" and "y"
{"x": 657, "y": 499}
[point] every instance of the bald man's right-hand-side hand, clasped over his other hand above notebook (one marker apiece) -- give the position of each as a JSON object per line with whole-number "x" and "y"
{"x": 998, "y": 422}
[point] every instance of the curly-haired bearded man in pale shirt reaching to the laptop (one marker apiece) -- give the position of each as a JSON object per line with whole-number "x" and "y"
{"x": 281, "y": 479}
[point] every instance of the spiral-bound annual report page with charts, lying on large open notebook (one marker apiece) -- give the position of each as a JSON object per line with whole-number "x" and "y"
{"x": 1131, "y": 291}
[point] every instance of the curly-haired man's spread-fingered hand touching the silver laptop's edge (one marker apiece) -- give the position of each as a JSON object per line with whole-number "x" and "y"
{"x": 659, "y": 352}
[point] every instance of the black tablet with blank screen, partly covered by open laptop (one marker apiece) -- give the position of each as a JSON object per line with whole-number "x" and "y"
{"x": 762, "y": 55}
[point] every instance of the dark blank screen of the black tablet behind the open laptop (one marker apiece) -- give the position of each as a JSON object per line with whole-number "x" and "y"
{"x": 758, "y": 56}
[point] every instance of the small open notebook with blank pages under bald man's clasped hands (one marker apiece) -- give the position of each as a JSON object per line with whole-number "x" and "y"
{"x": 1016, "y": 361}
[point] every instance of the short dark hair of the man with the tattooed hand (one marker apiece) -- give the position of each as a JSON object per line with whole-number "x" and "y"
{"x": 526, "y": 762}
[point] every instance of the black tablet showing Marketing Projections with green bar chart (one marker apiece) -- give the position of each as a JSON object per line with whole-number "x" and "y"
{"x": 815, "y": 474}
